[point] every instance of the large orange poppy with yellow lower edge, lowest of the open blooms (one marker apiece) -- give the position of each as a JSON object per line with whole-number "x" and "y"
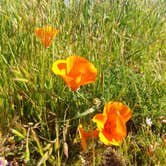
{"x": 112, "y": 123}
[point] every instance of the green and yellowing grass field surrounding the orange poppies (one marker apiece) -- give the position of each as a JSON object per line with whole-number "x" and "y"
{"x": 125, "y": 40}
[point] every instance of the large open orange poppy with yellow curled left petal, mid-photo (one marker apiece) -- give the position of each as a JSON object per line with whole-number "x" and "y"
{"x": 75, "y": 71}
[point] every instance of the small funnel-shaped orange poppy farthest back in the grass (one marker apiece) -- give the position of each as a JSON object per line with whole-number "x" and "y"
{"x": 46, "y": 35}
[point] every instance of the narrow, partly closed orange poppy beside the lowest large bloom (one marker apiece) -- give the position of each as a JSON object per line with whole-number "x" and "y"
{"x": 84, "y": 135}
